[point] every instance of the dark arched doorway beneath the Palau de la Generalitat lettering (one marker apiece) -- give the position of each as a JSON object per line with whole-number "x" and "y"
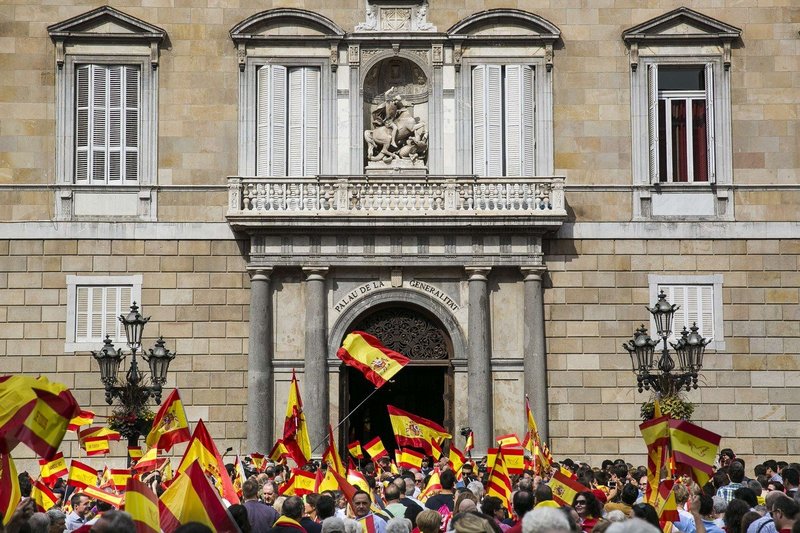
{"x": 424, "y": 387}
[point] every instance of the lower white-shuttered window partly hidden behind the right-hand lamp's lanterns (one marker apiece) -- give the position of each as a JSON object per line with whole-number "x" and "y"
{"x": 700, "y": 301}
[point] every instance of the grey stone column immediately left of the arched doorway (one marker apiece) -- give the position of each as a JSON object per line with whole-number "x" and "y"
{"x": 314, "y": 388}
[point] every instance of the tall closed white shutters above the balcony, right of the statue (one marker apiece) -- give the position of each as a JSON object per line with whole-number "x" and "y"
{"x": 503, "y": 120}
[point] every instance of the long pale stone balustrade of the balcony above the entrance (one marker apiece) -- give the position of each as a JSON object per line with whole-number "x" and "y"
{"x": 395, "y": 196}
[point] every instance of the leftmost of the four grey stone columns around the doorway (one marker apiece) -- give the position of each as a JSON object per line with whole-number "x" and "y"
{"x": 260, "y": 421}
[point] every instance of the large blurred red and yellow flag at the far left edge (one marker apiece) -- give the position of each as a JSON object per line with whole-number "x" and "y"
{"x": 35, "y": 412}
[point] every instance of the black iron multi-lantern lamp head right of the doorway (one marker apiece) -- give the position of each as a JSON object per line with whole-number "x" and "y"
{"x": 663, "y": 376}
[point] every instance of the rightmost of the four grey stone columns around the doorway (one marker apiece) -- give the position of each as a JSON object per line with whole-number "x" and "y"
{"x": 533, "y": 344}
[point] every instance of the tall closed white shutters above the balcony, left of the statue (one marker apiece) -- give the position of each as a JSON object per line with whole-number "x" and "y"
{"x": 288, "y": 121}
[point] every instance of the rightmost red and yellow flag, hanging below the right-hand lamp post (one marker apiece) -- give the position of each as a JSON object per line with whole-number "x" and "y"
{"x": 694, "y": 449}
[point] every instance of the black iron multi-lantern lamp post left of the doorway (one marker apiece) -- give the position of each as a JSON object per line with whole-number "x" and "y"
{"x": 137, "y": 388}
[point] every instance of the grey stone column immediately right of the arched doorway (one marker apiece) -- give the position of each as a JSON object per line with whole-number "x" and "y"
{"x": 479, "y": 355}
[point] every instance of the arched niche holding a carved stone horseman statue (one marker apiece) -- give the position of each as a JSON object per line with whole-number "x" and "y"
{"x": 396, "y": 106}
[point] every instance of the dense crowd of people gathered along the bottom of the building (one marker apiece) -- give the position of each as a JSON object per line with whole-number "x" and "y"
{"x": 764, "y": 499}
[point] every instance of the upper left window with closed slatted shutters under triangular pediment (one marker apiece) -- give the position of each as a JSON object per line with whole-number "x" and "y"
{"x": 107, "y": 124}
